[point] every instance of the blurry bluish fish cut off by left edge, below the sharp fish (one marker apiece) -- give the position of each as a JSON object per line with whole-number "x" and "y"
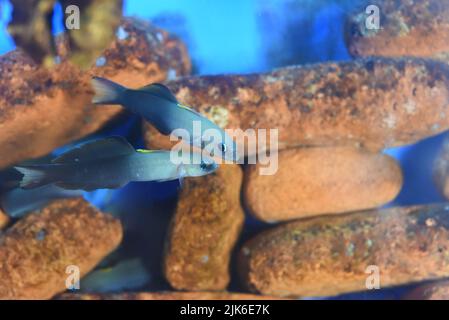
{"x": 18, "y": 202}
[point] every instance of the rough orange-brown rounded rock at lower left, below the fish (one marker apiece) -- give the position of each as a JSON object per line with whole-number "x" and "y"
{"x": 36, "y": 251}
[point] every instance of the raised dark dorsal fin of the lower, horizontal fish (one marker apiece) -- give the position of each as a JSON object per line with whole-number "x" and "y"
{"x": 95, "y": 150}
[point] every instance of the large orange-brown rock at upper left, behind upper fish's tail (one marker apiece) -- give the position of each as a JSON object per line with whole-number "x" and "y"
{"x": 41, "y": 109}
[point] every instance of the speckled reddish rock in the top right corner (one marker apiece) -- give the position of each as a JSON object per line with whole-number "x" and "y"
{"x": 407, "y": 28}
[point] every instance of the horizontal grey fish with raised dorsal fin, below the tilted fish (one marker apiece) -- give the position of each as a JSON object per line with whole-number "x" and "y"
{"x": 111, "y": 163}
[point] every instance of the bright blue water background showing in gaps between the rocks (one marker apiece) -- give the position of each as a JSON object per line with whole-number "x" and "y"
{"x": 230, "y": 36}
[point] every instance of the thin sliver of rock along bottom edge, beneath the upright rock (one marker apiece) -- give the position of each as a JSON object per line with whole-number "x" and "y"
{"x": 166, "y": 295}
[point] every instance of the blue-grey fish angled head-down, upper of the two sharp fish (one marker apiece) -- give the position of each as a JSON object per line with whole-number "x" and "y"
{"x": 157, "y": 104}
